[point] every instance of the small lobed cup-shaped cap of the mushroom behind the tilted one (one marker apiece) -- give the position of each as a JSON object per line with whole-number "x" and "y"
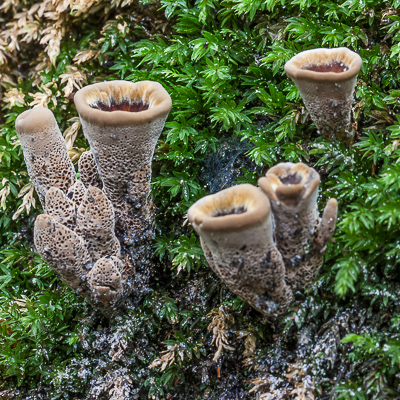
{"x": 290, "y": 184}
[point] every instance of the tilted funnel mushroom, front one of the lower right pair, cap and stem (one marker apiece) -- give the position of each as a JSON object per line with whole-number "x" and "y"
{"x": 236, "y": 233}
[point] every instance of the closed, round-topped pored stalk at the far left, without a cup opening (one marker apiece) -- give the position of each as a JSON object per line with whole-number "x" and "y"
{"x": 45, "y": 151}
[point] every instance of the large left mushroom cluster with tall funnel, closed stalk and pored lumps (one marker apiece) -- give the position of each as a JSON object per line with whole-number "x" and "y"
{"x": 97, "y": 231}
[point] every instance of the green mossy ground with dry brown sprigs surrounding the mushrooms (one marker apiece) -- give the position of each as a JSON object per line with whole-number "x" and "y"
{"x": 235, "y": 114}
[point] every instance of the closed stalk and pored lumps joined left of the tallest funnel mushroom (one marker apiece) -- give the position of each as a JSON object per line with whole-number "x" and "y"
{"x": 77, "y": 229}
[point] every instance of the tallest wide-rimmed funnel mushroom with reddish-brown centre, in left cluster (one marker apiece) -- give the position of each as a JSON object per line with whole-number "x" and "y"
{"x": 122, "y": 122}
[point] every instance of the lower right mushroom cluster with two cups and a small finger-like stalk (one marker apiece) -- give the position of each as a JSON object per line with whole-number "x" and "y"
{"x": 266, "y": 243}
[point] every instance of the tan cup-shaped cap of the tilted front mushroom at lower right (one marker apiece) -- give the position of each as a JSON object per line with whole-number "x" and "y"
{"x": 233, "y": 209}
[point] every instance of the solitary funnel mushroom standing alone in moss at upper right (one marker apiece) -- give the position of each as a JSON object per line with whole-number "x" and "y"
{"x": 326, "y": 79}
